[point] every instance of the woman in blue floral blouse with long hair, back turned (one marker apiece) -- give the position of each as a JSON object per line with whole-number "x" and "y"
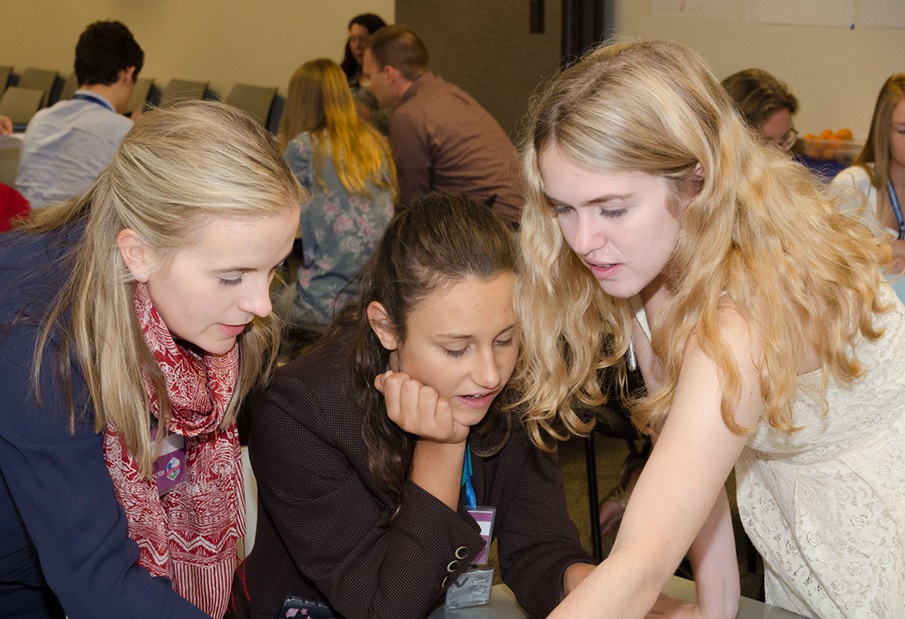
{"x": 346, "y": 165}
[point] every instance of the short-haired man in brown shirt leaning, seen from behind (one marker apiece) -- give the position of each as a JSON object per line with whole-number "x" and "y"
{"x": 442, "y": 139}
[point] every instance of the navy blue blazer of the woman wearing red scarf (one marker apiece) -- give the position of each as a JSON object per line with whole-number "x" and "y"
{"x": 64, "y": 544}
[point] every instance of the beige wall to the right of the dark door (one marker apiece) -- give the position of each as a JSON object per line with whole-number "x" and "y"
{"x": 836, "y": 73}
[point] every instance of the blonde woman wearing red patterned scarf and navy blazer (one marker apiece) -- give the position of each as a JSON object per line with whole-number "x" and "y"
{"x": 133, "y": 321}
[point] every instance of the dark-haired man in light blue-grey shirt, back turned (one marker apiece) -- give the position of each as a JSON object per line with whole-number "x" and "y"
{"x": 68, "y": 144}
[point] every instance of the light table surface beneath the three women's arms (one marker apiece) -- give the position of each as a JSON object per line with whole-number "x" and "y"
{"x": 503, "y": 605}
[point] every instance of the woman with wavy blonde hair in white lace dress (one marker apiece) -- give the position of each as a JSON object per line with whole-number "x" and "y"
{"x": 659, "y": 233}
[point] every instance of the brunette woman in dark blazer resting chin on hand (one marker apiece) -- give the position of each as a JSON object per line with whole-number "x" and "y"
{"x": 359, "y": 446}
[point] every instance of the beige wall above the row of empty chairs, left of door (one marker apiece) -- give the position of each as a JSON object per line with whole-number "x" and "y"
{"x": 221, "y": 41}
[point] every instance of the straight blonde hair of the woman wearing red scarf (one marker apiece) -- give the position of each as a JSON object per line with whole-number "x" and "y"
{"x": 174, "y": 170}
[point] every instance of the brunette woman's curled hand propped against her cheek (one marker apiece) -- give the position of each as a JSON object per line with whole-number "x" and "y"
{"x": 419, "y": 409}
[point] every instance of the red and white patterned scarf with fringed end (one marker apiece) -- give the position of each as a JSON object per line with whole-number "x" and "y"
{"x": 190, "y": 533}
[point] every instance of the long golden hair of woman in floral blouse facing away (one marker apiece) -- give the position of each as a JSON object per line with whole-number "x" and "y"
{"x": 319, "y": 101}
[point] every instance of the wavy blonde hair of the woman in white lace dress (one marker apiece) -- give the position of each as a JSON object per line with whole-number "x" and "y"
{"x": 757, "y": 227}
